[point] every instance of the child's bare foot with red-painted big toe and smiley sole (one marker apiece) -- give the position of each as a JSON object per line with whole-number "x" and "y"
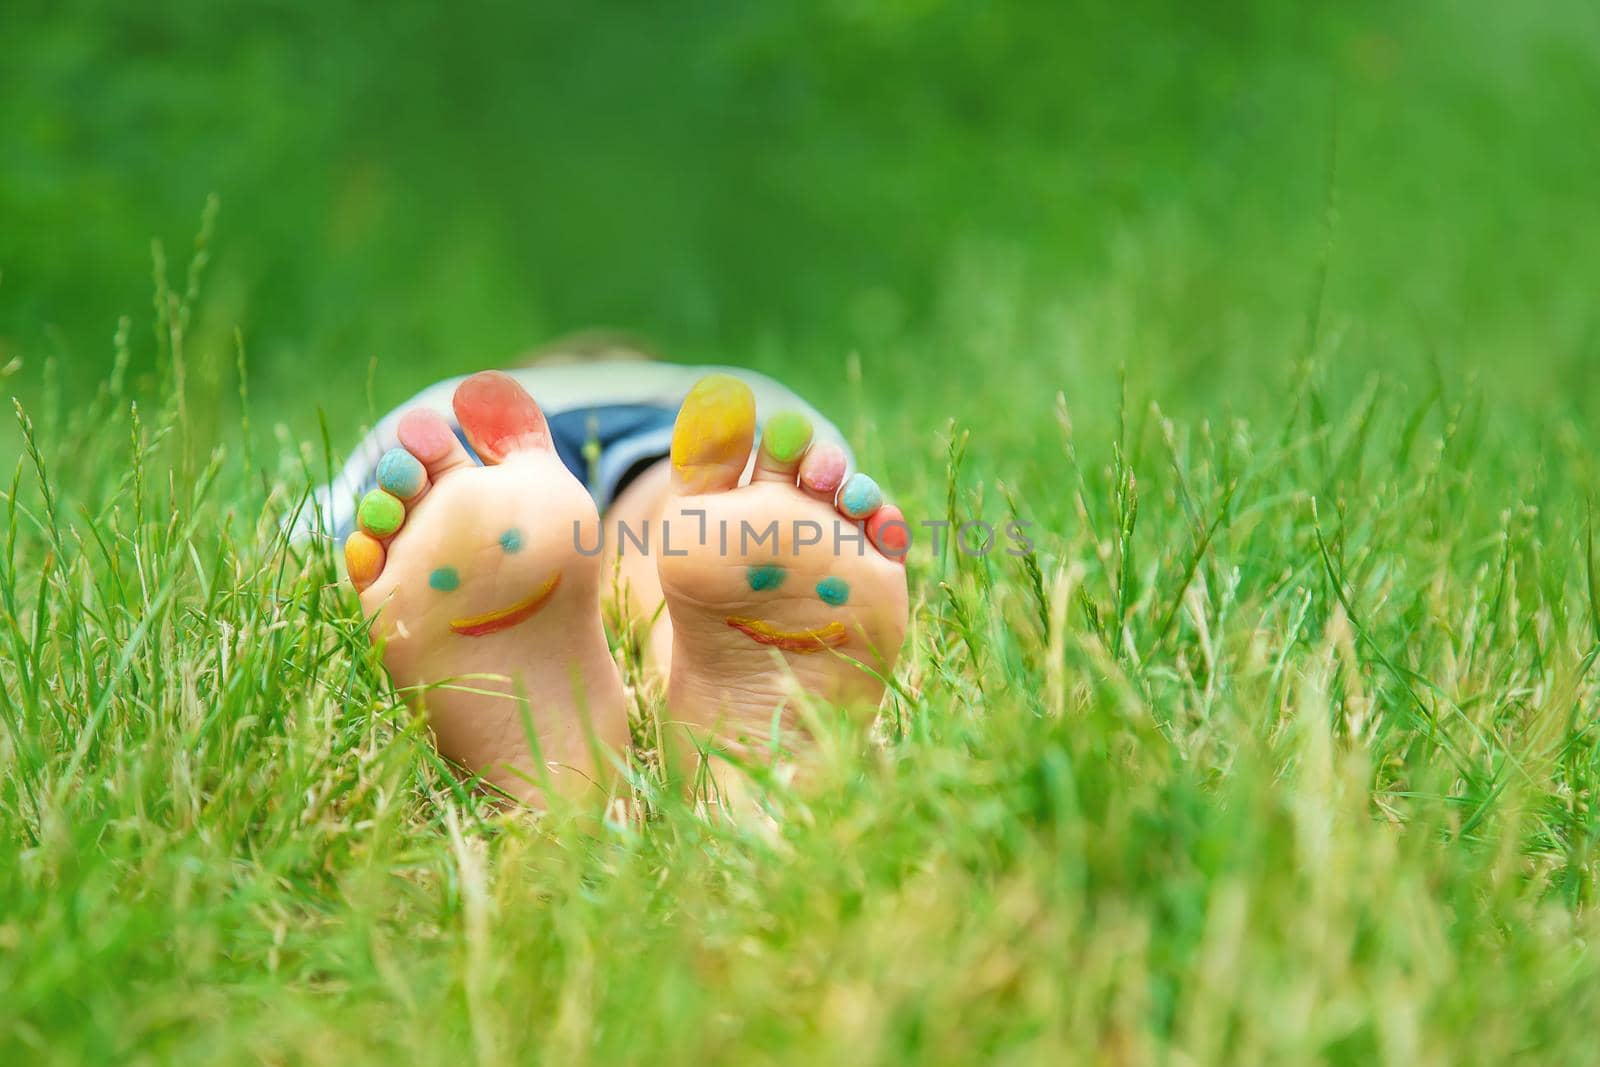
{"x": 481, "y": 593}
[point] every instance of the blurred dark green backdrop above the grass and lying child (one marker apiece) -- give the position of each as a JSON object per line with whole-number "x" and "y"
{"x": 986, "y": 202}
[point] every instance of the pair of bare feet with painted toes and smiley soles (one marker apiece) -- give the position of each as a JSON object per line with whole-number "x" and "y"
{"x": 484, "y": 585}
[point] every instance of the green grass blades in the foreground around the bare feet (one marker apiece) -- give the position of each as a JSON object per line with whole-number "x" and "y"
{"x": 1281, "y": 748}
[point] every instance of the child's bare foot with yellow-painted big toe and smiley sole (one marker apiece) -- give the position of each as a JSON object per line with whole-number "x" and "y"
{"x": 782, "y": 586}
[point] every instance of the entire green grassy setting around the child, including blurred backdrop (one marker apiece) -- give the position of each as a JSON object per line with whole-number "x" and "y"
{"x": 1276, "y": 324}
